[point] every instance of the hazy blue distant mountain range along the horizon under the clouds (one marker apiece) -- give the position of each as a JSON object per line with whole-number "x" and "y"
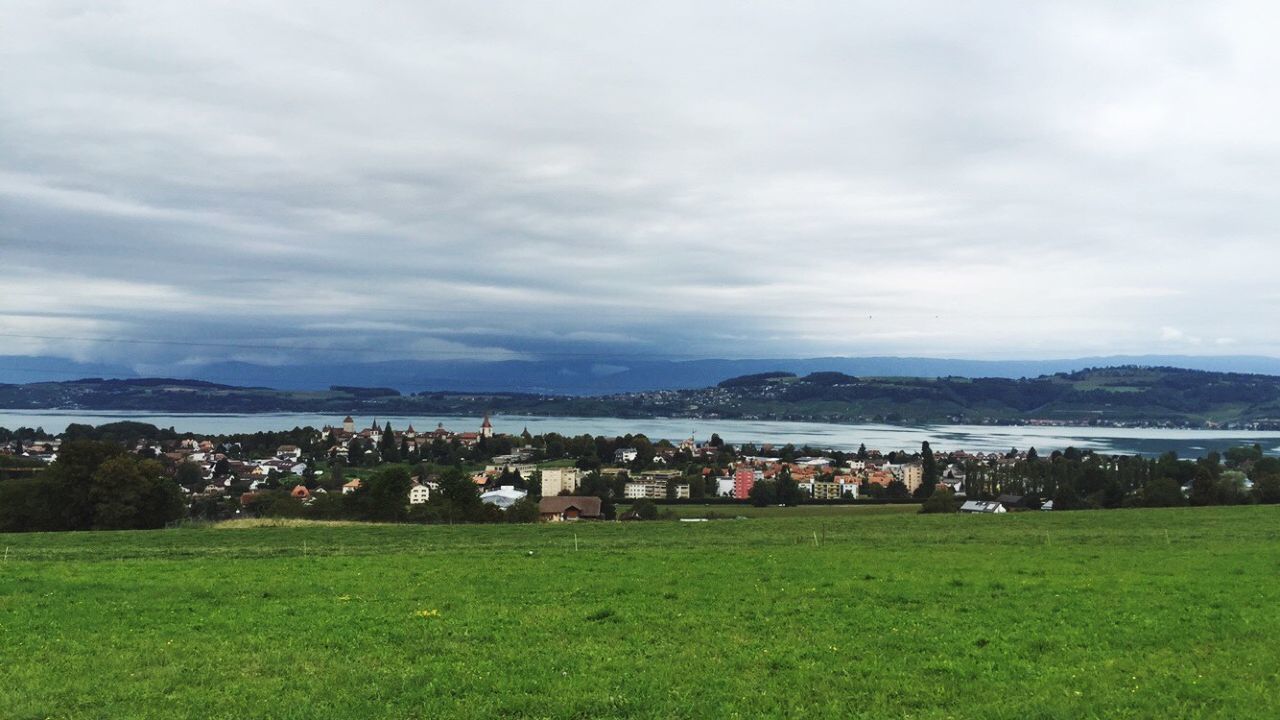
{"x": 595, "y": 377}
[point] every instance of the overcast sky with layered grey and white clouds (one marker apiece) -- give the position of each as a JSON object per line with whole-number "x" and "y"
{"x": 624, "y": 180}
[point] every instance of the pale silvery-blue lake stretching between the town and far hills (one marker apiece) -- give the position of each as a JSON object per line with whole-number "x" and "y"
{"x": 975, "y": 439}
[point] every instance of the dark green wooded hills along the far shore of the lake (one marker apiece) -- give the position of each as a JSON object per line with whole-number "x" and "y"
{"x": 1127, "y": 395}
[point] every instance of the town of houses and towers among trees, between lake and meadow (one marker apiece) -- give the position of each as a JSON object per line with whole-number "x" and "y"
{"x": 377, "y": 472}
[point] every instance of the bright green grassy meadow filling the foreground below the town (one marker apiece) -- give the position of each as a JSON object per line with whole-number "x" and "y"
{"x": 1118, "y": 614}
